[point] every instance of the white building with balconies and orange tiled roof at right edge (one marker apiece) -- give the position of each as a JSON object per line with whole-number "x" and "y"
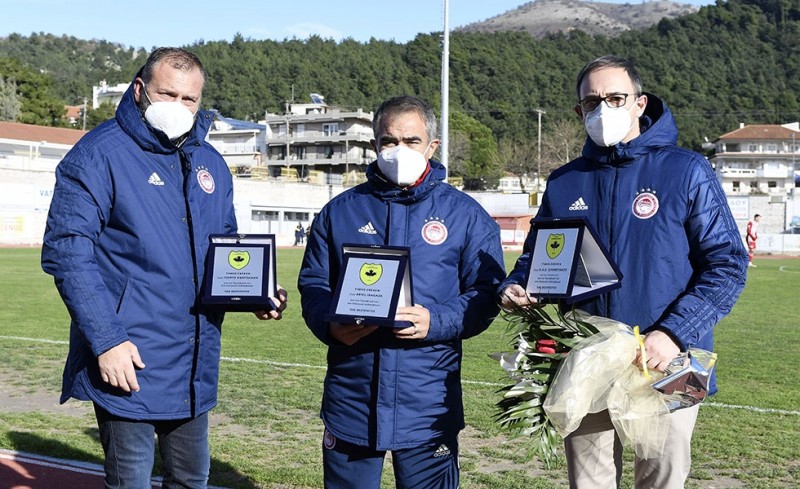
{"x": 759, "y": 160}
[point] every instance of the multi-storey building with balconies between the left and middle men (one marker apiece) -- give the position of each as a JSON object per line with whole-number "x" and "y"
{"x": 319, "y": 144}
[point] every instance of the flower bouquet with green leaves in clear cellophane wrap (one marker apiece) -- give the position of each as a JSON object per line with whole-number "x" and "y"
{"x": 566, "y": 366}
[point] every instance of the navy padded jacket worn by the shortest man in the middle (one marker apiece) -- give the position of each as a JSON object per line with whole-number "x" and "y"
{"x": 388, "y": 393}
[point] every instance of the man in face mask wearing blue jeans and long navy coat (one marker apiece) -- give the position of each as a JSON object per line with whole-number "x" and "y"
{"x": 134, "y": 204}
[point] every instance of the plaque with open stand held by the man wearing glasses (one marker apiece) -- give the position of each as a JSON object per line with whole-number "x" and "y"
{"x": 568, "y": 262}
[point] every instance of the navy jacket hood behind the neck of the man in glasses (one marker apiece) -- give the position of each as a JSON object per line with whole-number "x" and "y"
{"x": 658, "y": 129}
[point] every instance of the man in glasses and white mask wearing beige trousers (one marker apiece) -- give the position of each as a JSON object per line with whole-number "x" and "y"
{"x": 663, "y": 216}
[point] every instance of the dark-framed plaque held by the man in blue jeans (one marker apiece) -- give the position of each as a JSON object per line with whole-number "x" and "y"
{"x": 240, "y": 272}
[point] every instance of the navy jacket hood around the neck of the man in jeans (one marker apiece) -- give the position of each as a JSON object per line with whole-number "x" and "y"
{"x": 132, "y": 122}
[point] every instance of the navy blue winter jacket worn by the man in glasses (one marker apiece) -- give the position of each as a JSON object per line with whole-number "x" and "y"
{"x": 662, "y": 214}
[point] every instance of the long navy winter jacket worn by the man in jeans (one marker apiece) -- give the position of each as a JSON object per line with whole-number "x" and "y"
{"x": 126, "y": 239}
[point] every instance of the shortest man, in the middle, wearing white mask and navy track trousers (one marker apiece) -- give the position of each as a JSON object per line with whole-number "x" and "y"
{"x": 399, "y": 390}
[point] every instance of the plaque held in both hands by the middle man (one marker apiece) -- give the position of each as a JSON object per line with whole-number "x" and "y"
{"x": 374, "y": 281}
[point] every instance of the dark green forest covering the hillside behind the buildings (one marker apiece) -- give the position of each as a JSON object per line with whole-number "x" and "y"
{"x": 729, "y": 63}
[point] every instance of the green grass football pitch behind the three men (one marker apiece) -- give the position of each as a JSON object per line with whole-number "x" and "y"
{"x": 266, "y": 432}
